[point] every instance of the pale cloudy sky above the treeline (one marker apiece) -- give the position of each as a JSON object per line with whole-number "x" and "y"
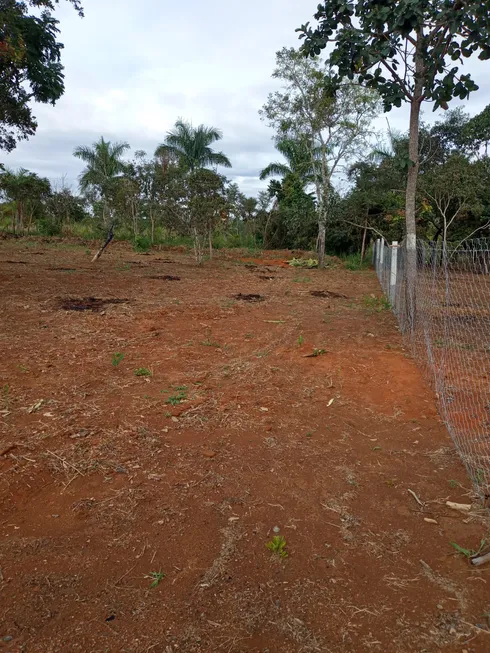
{"x": 133, "y": 68}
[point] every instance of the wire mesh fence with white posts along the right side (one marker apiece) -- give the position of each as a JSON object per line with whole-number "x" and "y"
{"x": 449, "y": 335}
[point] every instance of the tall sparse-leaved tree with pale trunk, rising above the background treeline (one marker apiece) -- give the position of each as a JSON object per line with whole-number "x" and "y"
{"x": 334, "y": 129}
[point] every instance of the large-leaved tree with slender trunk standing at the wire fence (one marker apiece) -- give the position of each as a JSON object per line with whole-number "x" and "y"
{"x": 408, "y": 51}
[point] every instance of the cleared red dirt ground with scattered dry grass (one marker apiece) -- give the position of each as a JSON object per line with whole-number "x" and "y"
{"x": 106, "y": 476}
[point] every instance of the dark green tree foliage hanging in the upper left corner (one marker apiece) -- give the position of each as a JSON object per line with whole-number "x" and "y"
{"x": 30, "y": 66}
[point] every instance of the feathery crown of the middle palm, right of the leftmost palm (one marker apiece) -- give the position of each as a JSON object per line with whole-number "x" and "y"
{"x": 191, "y": 146}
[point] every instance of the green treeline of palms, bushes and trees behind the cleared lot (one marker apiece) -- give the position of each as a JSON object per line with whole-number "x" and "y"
{"x": 178, "y": 195}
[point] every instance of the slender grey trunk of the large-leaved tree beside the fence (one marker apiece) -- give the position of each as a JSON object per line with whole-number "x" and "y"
{"x": 413, "y": 171}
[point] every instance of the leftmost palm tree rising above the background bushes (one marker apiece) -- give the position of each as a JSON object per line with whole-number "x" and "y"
{"x": 104, "y": 165}
